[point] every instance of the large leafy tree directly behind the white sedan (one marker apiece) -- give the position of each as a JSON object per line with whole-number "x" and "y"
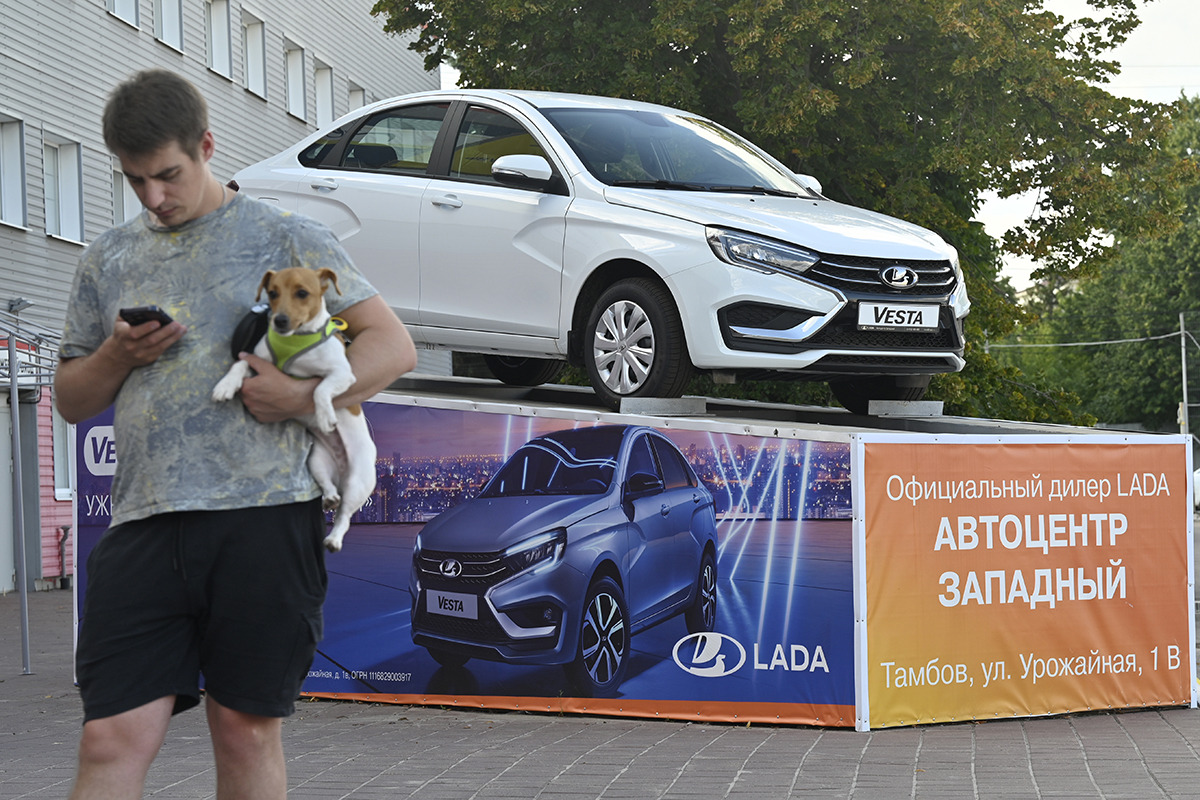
{"x": 909, "y": 107}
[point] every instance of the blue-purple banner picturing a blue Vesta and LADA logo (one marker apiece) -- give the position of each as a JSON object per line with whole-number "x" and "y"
{"x": 539, "y": 562}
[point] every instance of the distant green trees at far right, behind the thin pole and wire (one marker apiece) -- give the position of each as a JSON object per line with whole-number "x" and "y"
{"x": 1139, "y": 296}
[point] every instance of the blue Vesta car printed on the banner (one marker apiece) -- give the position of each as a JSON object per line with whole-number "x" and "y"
{"x": 583, "y": 539}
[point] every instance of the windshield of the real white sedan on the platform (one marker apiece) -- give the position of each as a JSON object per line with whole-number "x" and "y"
{"x": 669, "y": 152}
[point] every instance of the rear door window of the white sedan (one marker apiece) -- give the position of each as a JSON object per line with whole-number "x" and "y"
{"x": 399, "y": 141}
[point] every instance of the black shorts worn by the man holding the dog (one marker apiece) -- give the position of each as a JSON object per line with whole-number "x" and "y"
{"x": 236, "y": 596}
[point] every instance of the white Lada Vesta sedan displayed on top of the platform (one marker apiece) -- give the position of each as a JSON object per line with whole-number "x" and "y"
{"x": 639, "y": 242}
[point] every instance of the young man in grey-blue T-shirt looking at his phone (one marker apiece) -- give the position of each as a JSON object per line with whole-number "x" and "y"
{"x": 214, "y": 562}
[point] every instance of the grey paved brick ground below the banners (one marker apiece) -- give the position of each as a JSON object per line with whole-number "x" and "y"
{"x": 365, "y": 751}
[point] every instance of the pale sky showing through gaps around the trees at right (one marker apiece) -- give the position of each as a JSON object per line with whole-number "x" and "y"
{"x": 1160, "y": 61}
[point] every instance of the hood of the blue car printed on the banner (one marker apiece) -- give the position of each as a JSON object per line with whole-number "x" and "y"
{"x": 488, "y": 525}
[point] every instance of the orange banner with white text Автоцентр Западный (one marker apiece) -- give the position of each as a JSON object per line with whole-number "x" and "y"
{"x": 1023, "y": 576}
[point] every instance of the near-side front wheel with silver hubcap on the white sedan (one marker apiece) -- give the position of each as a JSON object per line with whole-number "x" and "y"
{"x": 634, "y": 344}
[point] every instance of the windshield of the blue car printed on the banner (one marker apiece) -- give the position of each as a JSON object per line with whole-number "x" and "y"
{"x": 569, "y": 462}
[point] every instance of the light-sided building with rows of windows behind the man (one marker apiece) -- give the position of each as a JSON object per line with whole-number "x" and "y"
{"x": 272, "y": 71}
